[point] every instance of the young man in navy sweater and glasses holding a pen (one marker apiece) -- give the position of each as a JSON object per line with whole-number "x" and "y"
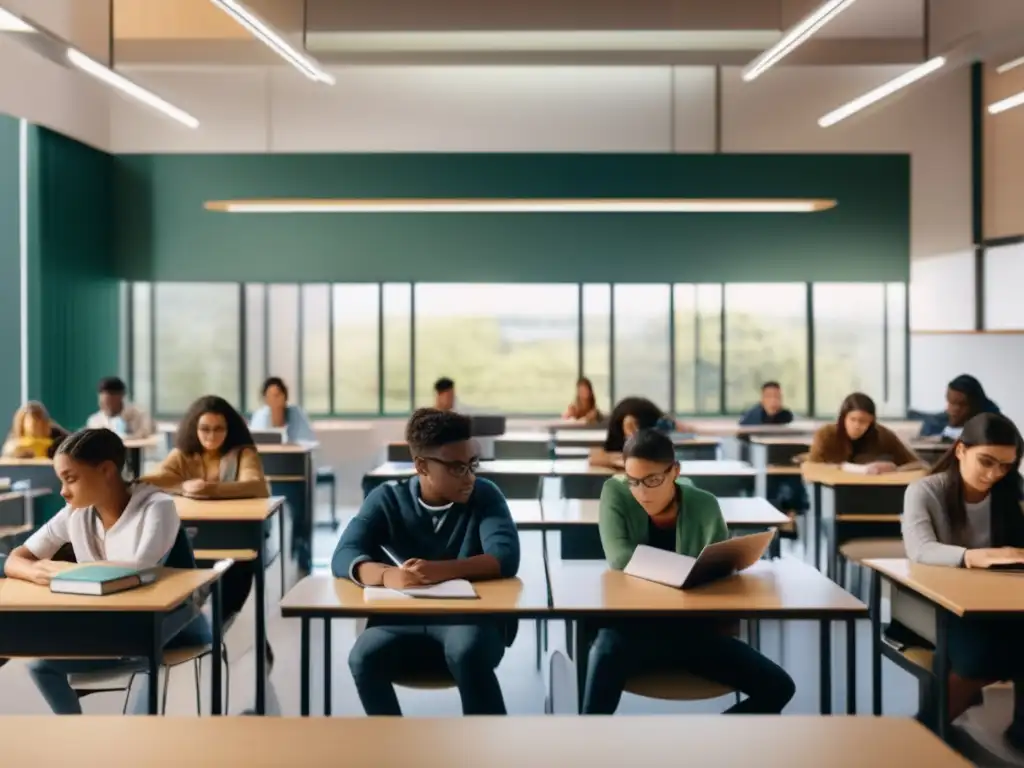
{"x": 443, "y": 524}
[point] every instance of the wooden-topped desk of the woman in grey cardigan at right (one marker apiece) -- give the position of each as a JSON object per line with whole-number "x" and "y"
{"x": 952, "y": 592}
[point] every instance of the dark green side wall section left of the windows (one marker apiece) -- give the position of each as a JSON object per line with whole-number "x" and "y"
{"x": 74, "y": 294}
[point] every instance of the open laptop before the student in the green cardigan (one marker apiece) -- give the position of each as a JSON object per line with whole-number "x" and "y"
{"x": 715, "y": 562}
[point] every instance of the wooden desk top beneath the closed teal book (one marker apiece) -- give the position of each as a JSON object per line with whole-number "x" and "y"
{"x": 170, "y": 590}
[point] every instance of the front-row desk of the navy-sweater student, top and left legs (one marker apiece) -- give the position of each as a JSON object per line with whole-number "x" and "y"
{"x": 326, "y": 598}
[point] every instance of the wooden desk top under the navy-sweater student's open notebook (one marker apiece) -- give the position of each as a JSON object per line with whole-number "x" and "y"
{"x": 325, "y": 595}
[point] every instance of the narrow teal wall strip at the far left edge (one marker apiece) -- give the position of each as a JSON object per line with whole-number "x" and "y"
{"x": 11, "y": 271}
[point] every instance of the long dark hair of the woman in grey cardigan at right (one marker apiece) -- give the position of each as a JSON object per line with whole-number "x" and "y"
{"x": 986, "y": 430}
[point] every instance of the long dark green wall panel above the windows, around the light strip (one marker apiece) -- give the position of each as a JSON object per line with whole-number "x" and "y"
{"x": 163, "y": 233}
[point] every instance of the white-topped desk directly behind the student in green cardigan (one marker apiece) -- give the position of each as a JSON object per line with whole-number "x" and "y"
{"x": 577, "y": 521}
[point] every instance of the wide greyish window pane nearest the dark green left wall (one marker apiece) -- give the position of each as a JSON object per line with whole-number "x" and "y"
{"x": 197, "y": 337}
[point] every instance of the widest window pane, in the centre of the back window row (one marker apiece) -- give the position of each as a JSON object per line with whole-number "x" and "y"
{"x": 508, "y": 348}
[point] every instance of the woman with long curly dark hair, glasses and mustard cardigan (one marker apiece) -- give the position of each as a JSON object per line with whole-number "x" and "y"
{"x": 216, "y": 458}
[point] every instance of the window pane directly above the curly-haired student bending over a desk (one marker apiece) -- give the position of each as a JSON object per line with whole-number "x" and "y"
{"x": 643, "y": 322}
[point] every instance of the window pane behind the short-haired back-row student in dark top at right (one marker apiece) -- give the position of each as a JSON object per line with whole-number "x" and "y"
{"x": 765, "y": 340}
